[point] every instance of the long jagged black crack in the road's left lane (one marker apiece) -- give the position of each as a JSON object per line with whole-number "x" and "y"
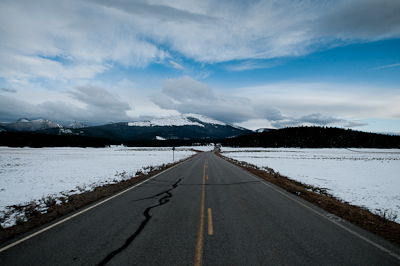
{"x": 161, "y": 201}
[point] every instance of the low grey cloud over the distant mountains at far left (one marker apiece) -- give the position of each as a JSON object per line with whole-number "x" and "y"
{"x": 101, "y": 106}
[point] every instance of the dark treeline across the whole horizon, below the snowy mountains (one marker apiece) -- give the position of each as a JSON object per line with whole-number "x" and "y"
{"x": 302, "y": 137}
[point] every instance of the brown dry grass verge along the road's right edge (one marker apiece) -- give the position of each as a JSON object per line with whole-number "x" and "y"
{"x": 381, "y": 225}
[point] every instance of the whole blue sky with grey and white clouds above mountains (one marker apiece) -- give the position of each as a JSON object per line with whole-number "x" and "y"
{"x": 272, "y": 63}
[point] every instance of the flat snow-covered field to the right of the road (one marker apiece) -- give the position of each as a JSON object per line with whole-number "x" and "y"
{"x": 363, "y": 177}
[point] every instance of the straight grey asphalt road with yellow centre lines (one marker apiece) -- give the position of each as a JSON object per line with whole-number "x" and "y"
{"x": 203, "y": 211}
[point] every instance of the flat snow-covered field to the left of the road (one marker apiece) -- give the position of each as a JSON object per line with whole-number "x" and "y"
{"x": 28, "y": 174}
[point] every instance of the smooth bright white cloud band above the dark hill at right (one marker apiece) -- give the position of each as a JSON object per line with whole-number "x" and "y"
{"x": 340, "y": 100}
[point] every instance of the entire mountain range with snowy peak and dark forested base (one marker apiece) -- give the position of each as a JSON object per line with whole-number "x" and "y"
{"x": 184, "y": 130}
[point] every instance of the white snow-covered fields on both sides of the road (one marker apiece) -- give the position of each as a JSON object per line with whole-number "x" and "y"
{"x": 363, "y": 177}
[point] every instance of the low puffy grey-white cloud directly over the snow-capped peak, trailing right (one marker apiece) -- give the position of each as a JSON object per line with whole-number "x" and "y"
{"x": 187, "y": 95}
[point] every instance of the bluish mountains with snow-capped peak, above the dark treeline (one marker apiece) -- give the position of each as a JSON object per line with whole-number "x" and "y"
{"x": 185, "y": 126}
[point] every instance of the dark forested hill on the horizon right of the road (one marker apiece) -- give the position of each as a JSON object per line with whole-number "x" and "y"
{"x": 314, "y": 137}
